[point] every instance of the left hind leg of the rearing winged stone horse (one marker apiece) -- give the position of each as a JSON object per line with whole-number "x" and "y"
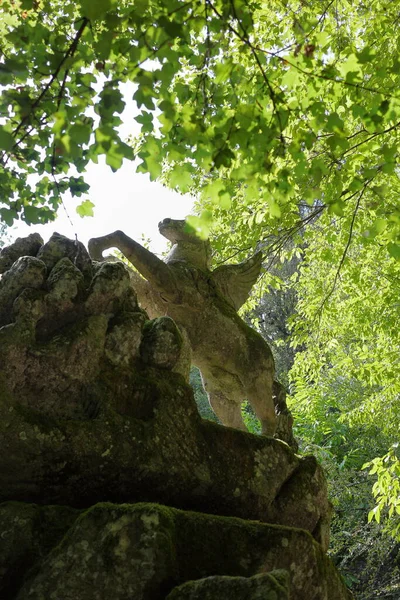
{"x": 224, "y": 401}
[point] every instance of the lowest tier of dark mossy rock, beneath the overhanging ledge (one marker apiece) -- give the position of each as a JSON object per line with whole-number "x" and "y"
{"x": 148, "y": 551}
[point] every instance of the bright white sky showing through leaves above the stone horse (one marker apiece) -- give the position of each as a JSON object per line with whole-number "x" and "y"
{"x": 123, "y": 200}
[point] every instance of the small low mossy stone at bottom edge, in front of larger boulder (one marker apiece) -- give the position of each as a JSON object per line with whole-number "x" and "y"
{"x": 266, "y": 586}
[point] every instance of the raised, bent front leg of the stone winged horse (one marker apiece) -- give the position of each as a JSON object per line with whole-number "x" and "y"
{"x": 149, "y": 265}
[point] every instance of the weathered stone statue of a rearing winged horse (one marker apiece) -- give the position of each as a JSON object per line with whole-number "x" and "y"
{"x": 234, "y": 360}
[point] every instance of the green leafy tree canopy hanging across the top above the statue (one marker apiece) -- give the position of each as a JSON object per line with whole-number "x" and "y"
{"x": 269, "y": 105}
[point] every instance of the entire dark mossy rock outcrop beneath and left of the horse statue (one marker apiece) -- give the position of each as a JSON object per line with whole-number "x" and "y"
{"x": 96, "y": 420}
